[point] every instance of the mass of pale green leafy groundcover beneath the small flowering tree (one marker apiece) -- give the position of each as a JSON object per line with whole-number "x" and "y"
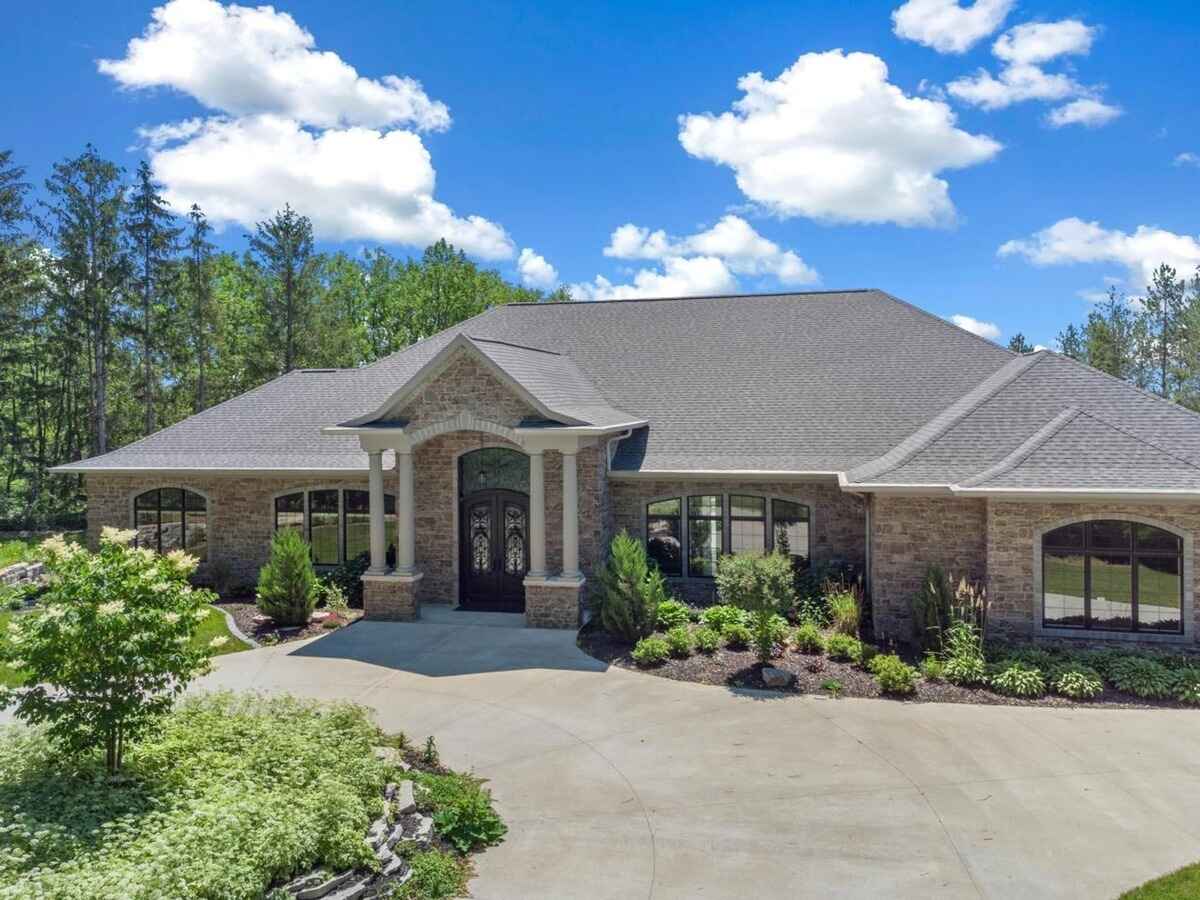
{"x": 231, "y": 795}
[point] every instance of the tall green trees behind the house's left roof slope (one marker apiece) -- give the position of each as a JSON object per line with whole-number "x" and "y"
{"x": 119, "y": 316}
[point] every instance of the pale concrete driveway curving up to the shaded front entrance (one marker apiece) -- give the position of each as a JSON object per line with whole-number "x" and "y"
{"x": 623, "y": 785}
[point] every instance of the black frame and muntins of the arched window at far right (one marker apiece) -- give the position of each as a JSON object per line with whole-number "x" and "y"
{"x": 1088, "y": 550}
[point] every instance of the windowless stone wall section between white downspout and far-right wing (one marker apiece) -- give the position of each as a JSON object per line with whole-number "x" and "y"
{"x": 908, "y": 536}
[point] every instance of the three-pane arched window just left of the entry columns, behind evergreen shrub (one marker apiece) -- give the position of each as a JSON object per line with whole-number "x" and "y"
{"x": 337, "y": 524}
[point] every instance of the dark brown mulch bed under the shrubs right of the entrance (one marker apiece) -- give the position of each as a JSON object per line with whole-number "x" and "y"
{"x": 741, "y": 669}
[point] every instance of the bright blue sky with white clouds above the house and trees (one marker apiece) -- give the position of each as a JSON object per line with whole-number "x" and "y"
{"x": 547, "y": 128}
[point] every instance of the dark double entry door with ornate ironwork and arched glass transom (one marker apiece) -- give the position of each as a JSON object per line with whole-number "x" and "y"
{"x": 494, "y": 519}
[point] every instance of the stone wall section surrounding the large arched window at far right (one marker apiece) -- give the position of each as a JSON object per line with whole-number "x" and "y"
{"x": 1016, "y": 599}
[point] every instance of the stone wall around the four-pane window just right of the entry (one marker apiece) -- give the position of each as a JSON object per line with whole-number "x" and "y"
{"x": 838, "y": 525}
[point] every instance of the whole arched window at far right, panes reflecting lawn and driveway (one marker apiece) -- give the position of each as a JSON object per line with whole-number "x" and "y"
{"x": 1111, "y": 575}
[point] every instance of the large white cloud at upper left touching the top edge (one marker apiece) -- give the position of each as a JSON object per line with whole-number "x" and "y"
{"x": 248, "y": 61}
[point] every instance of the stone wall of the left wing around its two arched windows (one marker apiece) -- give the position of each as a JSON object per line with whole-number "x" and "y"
{"x": 241, "y": 512}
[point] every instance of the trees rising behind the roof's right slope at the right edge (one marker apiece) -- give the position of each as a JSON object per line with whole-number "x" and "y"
{"x": 1151, "y": 341}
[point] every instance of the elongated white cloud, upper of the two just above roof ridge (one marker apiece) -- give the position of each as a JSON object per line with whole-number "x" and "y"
{"x": 733, "y": 239}
